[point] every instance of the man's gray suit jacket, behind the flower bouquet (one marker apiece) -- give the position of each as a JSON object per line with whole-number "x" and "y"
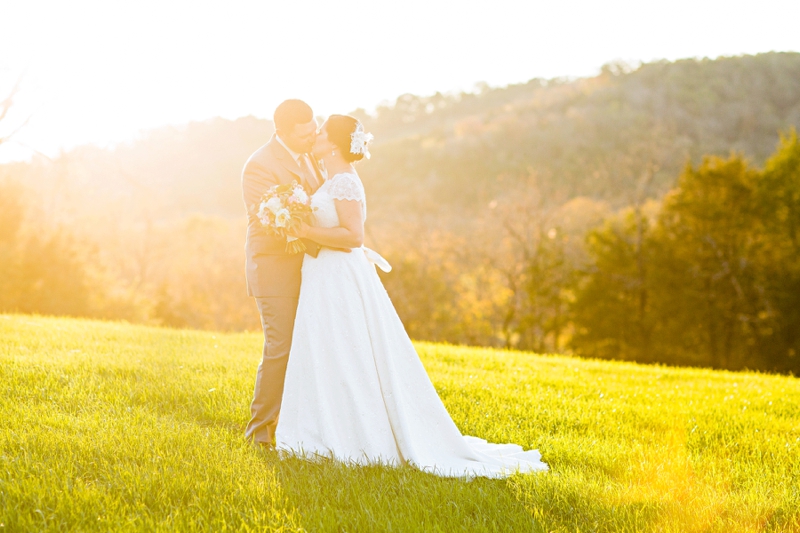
{"x": 270, "y": 271}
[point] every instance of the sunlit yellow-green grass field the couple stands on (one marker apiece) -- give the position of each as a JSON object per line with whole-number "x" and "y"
{"x": 113, "y": 427}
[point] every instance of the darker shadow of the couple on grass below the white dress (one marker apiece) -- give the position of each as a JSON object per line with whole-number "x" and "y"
{"x": 331, "y": 496}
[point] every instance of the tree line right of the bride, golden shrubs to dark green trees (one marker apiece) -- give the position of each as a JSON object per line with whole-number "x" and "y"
{"x": 709, "y": 275}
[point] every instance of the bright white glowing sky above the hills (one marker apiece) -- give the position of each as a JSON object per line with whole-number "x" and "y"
{"x": 103, "y": 72}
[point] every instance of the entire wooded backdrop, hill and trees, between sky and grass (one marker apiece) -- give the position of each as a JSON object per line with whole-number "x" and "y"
{"x": 603, "y": 216}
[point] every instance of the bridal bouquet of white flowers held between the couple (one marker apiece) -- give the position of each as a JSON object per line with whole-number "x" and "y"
{"x": 282, "y": 208}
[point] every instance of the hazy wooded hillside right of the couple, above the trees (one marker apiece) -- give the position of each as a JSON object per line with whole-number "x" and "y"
{"x": 592, "y": 137}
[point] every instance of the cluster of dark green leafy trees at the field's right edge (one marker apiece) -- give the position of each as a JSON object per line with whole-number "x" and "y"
{"x": 713, "y": 280}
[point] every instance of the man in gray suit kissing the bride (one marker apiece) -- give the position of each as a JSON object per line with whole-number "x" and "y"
{"x": 273, "y": 276}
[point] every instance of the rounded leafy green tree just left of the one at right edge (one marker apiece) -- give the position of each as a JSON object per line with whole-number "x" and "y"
{"x": 710, "y": 300}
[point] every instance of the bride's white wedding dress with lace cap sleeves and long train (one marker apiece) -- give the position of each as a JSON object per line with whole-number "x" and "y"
{"x": 355, "y": 388}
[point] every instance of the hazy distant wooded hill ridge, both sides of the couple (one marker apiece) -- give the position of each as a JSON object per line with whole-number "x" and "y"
{"x": 593, "y": 137}
